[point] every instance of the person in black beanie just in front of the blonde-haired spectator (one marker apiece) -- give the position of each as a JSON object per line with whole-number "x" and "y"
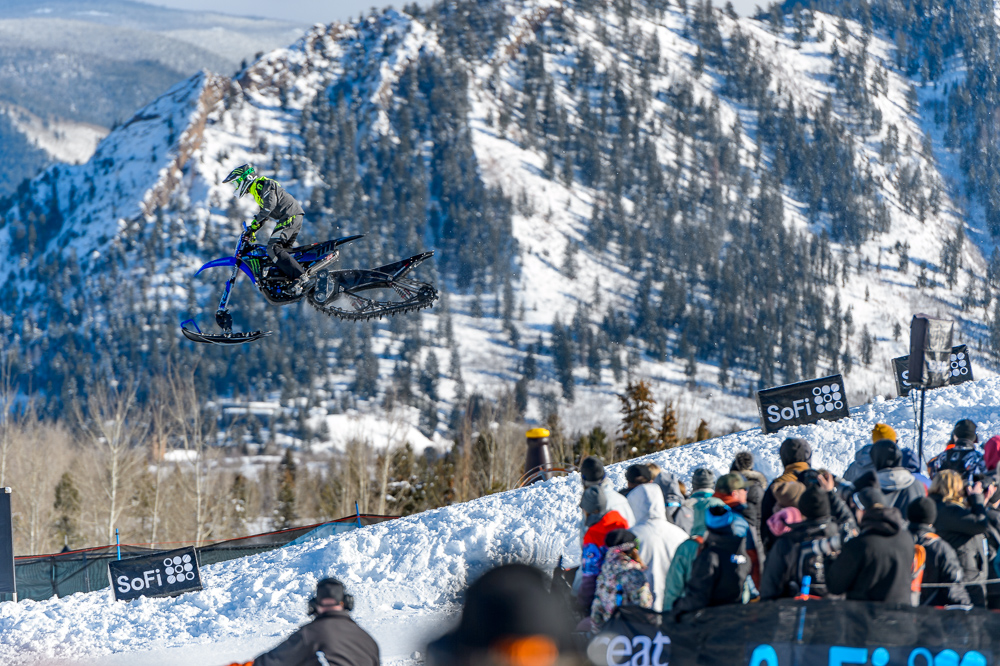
{"x": 941, "y": 563}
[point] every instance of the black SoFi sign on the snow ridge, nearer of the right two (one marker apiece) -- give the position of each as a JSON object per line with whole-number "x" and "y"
{"x": 801, "y": 403}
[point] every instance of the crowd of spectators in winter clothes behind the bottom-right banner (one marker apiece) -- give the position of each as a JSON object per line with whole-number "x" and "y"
{"x": 883, "y": 532}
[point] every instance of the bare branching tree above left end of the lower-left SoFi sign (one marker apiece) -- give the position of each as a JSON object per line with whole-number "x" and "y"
{"x": 114, "y": 425}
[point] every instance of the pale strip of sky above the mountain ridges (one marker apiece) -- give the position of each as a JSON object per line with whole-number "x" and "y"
{"x": 325, "y": 11}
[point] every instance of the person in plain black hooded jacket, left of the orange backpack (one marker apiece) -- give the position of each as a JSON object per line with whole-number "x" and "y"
{"x": 875, "y": 565}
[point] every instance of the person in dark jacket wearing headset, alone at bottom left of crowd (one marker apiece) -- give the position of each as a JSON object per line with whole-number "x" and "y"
{"x": 332, "y": 633}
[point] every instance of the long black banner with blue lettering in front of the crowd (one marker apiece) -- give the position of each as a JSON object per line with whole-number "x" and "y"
{"x": 791, "y": 633}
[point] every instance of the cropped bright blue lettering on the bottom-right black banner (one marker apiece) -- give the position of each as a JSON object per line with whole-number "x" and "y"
{"x": 766, "y": 655}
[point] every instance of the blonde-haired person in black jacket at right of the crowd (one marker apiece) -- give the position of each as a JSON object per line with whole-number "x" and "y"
{"x": 963, "y": 523}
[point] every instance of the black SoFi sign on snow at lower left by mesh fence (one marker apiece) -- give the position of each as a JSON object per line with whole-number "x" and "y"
{"x": 162, "y": 575}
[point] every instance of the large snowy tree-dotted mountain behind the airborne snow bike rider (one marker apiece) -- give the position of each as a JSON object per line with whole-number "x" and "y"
{"x": 638, "y": 190}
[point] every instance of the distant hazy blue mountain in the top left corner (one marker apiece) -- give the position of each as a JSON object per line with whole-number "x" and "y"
{"x": 69, "y": 69}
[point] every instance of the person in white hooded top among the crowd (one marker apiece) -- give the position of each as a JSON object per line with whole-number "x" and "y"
{"x": 658, "y": 538}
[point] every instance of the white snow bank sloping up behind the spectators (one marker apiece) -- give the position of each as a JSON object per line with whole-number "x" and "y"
{"x": 407, "y": 574}
